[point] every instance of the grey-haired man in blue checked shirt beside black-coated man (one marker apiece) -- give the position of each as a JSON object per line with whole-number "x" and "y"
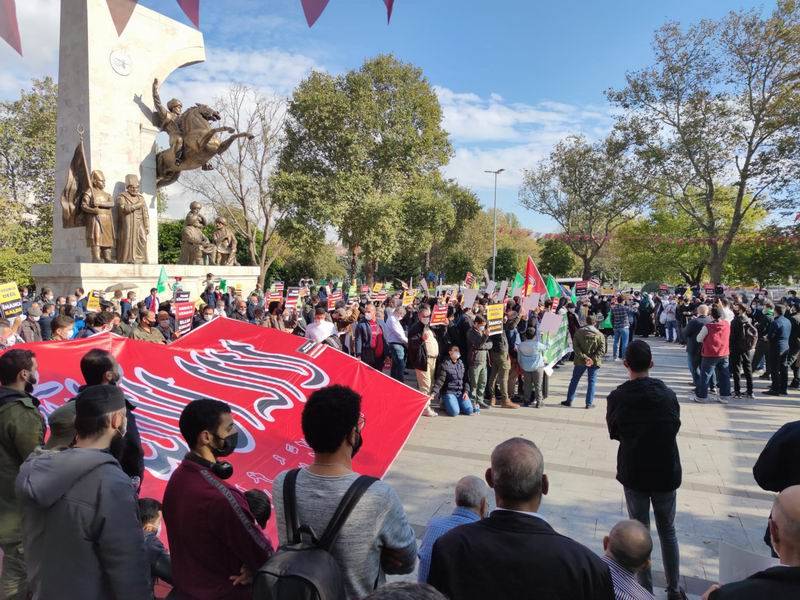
{"x": 472, "y": 504}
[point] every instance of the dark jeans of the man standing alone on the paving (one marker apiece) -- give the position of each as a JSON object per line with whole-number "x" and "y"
{"x": 664, "y": 508}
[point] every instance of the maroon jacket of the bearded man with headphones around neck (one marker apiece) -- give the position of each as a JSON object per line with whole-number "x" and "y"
{"x": 211, "y": 535}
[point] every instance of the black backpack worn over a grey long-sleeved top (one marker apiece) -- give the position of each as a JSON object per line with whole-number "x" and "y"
{"x": 304, "y": 569}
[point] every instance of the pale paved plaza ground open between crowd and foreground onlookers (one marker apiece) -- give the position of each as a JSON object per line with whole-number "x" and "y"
{"x": 718, "y": 444}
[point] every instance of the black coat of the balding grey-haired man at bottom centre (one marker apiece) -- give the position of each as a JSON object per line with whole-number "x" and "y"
{"x": 511, "y": 556}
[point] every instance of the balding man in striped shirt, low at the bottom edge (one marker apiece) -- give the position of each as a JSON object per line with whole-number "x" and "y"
{"x": 627, "y": 552}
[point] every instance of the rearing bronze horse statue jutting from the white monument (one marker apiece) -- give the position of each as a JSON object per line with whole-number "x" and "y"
{"x": 200, "y": 144}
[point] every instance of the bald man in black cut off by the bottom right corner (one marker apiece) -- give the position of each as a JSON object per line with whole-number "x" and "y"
{"x": 777, "y": 582}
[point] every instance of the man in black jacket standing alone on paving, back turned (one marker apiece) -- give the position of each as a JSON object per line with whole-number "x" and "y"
{"x": 644, "y": 415}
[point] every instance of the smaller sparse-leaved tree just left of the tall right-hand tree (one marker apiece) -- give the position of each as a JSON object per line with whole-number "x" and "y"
{"x": 588, "y": 189}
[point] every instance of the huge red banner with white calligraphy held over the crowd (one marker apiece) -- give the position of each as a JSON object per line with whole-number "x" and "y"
{"x": 264, "y": 374}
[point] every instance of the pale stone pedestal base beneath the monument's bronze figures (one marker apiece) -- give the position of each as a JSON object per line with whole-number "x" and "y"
{"x": 64, "y": 278}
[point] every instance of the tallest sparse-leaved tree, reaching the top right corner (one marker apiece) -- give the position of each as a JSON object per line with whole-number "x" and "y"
{"x": 720, "y": 103}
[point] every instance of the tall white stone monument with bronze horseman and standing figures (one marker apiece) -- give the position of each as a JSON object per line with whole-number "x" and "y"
{"x": 106, "y": 85}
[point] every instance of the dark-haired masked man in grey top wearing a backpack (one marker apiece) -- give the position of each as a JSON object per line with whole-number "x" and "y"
{"x": 376, "y": 538}
